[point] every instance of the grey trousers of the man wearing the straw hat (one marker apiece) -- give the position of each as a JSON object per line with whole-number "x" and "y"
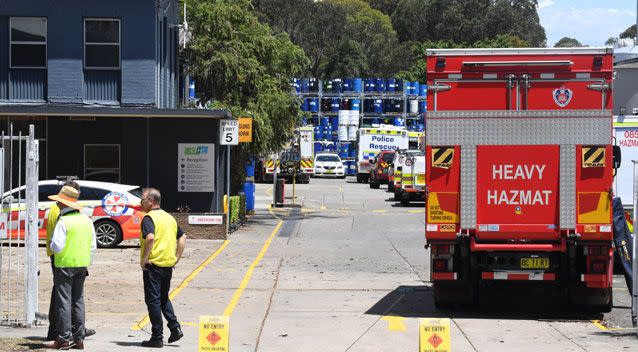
{"x": 69, "y": 301}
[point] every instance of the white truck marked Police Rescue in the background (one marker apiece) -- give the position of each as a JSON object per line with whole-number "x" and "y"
{"x": 370, "y": 141}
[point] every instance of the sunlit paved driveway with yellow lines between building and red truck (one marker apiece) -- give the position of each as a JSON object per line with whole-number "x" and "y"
{"x": 340, "y": 268}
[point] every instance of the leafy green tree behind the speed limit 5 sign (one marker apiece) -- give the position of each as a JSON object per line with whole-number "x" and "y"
{"x": 240, "y": 65}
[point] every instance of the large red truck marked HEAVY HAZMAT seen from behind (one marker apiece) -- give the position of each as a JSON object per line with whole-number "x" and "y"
{"x": 520, "y": 166}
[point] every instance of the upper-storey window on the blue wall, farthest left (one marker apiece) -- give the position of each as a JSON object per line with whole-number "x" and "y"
{"x": 28, "y": 45}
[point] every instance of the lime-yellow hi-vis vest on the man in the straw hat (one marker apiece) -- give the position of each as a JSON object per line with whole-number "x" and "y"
{"x": 79, "y": 236}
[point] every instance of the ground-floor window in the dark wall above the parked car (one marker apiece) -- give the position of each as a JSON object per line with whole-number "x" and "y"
{"x": 102, "y": 162}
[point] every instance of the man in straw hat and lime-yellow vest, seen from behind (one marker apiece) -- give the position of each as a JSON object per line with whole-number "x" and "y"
{"x": 72, "y": 243}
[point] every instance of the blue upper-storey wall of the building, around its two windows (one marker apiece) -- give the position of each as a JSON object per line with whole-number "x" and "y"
{"x": 65, "y": 80}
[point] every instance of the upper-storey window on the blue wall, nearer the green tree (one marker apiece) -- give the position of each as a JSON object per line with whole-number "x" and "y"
{"x": 102, "y": 44}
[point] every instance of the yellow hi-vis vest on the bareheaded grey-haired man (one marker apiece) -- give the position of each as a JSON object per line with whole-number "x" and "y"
{"x": 165, "y": 239}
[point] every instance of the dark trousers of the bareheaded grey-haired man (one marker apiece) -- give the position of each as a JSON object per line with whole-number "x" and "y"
{"x": 157, "y": 284}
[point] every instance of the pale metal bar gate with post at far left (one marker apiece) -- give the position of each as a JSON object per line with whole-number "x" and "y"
{"x": 19, "y": 228}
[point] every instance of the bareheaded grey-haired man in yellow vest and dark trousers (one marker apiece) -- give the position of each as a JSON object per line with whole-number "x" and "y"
{"x": 162, "y": 243}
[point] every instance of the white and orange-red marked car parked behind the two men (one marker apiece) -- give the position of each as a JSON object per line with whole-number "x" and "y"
{"x": 114, "y": 209}
